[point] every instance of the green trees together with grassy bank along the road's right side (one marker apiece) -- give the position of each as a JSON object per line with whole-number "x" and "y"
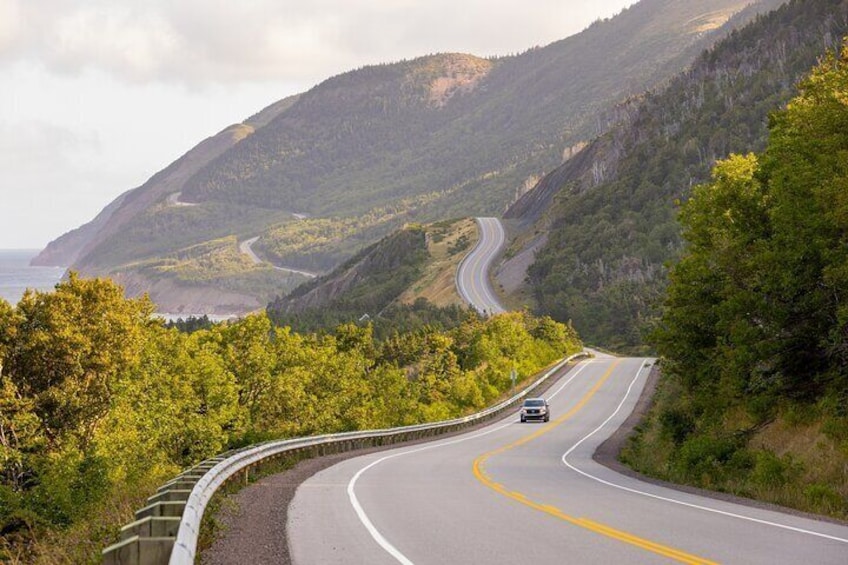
{"x": 754, "y": 331}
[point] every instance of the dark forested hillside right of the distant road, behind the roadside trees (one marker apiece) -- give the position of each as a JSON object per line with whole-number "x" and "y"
{"x": 610, "y": 213}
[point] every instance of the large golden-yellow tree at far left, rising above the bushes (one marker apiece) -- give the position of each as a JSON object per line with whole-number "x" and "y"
{"x": 69, "y": 348}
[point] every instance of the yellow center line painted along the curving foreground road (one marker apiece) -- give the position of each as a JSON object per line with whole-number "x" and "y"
{"x": 585, "y": 523}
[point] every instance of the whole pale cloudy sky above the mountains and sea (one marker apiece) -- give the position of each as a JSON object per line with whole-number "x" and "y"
{"x": 98, "y": 95}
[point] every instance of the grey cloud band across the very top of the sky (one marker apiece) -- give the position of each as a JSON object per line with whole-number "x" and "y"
{"x": 197, "y": 42}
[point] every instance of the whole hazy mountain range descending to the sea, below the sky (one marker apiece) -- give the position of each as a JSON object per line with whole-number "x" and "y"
{"x": 318, "y": 176}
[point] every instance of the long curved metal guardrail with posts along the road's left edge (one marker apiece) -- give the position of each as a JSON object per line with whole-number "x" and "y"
{"x": 166, "y": 531}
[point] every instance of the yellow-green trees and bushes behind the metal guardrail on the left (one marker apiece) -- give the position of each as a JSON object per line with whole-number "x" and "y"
{"x": 99, "y": 403}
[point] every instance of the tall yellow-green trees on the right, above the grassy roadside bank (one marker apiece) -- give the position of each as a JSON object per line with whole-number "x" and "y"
{"x": 756, "y": 308}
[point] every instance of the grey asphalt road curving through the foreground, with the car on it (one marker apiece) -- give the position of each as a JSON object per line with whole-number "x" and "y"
{"x": 519, "y": 493}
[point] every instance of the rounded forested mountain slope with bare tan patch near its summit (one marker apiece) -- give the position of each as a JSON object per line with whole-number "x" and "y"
{"x": 340, "y": 150}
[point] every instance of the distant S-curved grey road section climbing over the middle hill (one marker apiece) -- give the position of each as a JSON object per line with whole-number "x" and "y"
{"x": 472, "y": 277}
